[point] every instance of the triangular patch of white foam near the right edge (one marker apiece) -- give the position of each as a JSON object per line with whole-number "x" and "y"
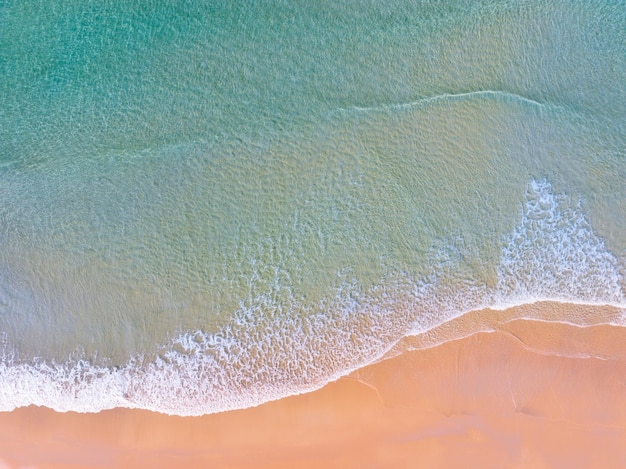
{"x": 554, "y": 254}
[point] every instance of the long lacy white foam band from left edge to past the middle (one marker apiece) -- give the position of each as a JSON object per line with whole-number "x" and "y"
{"x": 265, "y": 353}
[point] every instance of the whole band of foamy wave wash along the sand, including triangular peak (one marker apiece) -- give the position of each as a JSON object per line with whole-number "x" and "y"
{"x": 273, "y": 349}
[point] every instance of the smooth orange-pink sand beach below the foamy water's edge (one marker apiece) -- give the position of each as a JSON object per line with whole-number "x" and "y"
{"x": 528, "y": 393}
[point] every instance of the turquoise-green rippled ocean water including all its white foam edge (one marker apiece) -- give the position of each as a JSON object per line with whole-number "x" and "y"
{"x": 208, "y": 205}
